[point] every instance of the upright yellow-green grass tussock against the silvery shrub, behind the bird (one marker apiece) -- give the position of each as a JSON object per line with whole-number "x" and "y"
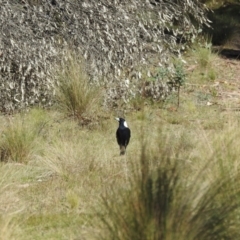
{"x": 75, "y": 95}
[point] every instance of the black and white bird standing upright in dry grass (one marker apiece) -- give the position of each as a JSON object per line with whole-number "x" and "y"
{"x": 123, "y": 135}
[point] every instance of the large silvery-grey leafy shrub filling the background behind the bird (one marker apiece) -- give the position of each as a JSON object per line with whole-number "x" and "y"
{"x": 118, "y": 39}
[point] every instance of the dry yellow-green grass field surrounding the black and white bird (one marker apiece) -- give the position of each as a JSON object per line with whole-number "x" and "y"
{"x": 74, "y": 177}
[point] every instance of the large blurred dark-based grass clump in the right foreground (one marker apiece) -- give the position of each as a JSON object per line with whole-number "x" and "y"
{"x": 163, "y": 203}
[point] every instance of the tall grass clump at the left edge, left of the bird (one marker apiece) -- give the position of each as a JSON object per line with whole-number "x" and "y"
{"x": 20, "y": 136}
